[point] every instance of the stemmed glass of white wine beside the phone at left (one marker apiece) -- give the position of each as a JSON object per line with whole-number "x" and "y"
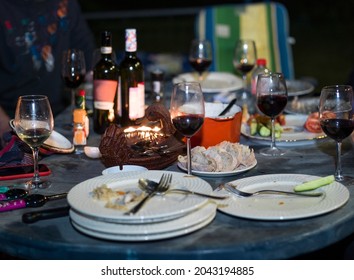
{"x": 33, "y": 124}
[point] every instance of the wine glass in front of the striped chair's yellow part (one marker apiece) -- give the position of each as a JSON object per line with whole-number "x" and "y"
{"x": 245, "y": 58}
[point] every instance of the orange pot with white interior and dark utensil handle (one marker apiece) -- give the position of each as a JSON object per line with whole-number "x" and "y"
{"x": 217, "y": 129}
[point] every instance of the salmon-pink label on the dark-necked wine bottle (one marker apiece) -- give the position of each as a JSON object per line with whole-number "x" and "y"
{"x": 104, "y": 93}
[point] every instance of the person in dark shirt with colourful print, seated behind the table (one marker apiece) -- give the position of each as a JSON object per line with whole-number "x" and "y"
{"x": 33, "y": 36}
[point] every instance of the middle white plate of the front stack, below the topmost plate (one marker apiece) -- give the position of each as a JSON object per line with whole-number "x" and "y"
{"x": 198, "y": 216}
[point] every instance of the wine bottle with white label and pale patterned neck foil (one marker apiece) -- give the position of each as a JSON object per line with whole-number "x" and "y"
{"x": 132, "y": 88}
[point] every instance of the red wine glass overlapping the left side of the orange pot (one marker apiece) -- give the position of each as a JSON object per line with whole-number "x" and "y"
{"x": 187, "y": 112}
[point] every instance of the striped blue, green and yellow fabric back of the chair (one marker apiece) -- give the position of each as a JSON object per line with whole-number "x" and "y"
{"x": 266, "y": 23}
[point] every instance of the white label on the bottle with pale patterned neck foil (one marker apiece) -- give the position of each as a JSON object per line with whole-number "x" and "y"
{"x": 137, "y": 102}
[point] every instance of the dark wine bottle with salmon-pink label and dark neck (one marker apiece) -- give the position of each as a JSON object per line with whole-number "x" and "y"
{"x": 105, "y": 86}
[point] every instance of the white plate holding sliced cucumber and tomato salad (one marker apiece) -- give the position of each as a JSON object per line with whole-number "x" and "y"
{"x": 294, "y": 133}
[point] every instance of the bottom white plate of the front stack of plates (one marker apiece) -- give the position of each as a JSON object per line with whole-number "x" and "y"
{"x": 150, "y": 237}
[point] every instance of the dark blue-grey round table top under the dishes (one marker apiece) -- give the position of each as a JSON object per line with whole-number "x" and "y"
{"x": 226, "y": 237}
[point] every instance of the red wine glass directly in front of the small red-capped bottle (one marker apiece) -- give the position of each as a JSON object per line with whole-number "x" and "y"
{"x": 271, "y": 99}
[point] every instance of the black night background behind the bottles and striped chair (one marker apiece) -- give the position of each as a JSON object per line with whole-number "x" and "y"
{"x": 323, "y": 30}
